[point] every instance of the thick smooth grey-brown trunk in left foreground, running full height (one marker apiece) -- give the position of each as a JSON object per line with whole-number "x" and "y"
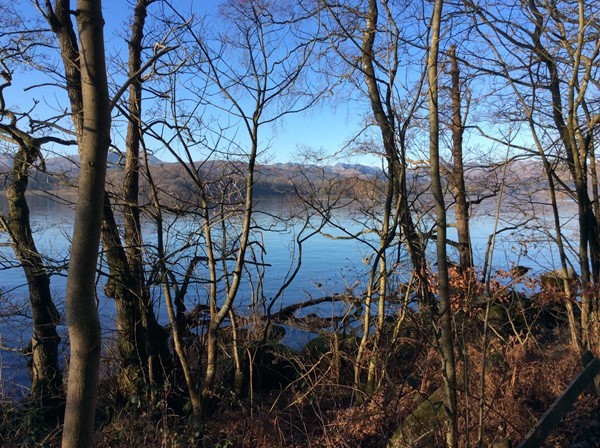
{"x": 82, "y": 314}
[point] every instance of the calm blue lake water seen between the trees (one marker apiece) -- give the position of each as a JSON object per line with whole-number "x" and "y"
{"x": 330, "y": 265}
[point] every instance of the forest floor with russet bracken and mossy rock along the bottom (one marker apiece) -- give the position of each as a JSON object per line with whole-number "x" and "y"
{"x": 503, "y": 390}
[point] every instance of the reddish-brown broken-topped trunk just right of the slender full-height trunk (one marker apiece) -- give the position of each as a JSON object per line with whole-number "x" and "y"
{"x": 457, "y": 179}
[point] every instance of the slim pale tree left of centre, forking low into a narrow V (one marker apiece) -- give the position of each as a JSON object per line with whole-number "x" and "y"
{"x": 256, "y": 93}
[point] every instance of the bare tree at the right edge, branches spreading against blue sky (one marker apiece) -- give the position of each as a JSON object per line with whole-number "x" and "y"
{"x": 548, "y": 54}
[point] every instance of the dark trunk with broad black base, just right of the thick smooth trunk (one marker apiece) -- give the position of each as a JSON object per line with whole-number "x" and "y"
{"x": 141, "y": 340}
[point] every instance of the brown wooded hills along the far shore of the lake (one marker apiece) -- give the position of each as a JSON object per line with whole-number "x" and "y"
{"x": 275, "y": 179}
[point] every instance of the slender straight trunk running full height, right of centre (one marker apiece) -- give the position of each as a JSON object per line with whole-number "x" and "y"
{"x": 446, "y": 333}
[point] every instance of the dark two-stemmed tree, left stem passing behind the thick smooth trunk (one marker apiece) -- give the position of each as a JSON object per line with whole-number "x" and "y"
{"x": 142, "y": 342}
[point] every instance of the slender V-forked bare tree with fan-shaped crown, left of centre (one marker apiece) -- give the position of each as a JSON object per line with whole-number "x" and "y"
{"x": 246, "y": 75}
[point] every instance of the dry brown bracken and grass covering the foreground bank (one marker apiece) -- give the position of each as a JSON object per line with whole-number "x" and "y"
{"x": 523, "y": 376}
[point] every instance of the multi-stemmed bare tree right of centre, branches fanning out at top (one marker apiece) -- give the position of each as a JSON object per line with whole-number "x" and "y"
{"x": 369, "y": 37}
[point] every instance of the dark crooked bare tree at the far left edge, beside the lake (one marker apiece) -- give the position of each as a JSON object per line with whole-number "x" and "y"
{"x": 46, "y": 375}
